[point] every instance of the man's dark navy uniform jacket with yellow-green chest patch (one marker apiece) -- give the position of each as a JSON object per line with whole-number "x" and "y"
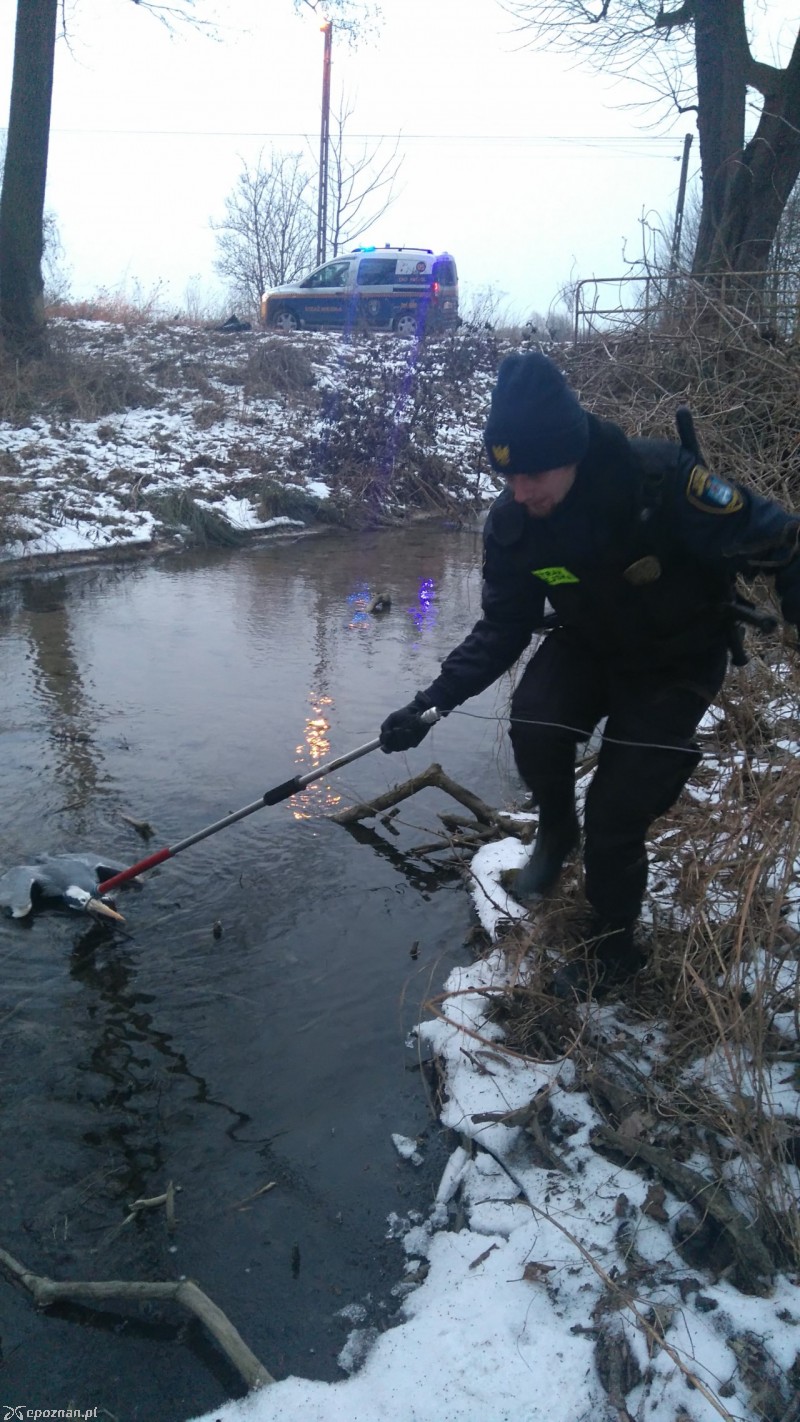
{"x": 640, "y": 561}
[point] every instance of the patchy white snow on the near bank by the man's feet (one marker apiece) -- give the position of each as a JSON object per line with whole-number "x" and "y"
{"x": 546, "y": 1285}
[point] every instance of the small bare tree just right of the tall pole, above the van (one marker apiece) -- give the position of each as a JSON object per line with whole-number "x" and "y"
{"x": 360, "y": 184}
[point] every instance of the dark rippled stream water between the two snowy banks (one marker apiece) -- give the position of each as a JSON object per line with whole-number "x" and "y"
{"x": 249, "y": 1027}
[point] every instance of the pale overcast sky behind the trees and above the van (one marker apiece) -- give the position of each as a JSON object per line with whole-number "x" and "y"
{"x": 521, "y": 164}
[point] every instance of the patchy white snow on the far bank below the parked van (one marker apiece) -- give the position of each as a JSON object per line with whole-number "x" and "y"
{"x": 139, "y": 416}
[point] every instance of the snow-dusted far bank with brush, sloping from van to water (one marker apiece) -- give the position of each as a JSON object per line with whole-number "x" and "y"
{"x": 158, "y": 436}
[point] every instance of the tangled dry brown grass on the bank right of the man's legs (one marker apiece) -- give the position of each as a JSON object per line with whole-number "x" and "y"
{"x": 724, "y": 976}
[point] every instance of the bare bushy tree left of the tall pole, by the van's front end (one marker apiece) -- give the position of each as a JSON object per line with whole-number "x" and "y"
{"x": 269, "y": 231}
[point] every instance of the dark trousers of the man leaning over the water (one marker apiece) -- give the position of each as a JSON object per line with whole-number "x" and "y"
{"x": 646, "y": 759}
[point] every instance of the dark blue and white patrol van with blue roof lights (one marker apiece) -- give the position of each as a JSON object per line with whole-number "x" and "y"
{"x": 407, "y": 291}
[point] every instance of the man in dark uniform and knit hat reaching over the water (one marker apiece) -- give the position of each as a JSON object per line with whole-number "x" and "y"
{"x": 636, "y": 547}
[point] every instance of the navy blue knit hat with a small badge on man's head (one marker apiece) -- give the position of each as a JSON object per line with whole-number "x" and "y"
{"x": 536, "y": 422}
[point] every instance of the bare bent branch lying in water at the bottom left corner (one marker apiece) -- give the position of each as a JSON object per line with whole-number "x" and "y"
{"x": 183, "y": 1292}
